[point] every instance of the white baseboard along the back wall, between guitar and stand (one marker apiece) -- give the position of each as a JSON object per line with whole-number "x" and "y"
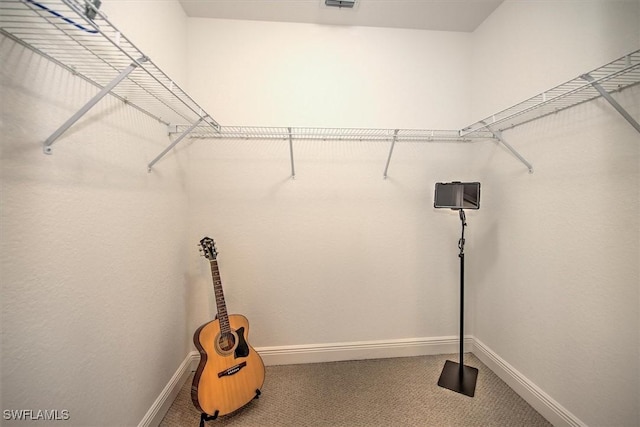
{"x": 333, "y": 352}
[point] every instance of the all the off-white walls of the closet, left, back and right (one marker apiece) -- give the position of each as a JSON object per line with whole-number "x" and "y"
{"x": 102, "y": 285}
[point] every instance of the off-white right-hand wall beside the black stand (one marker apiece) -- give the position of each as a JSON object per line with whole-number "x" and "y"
{"x": 557, "y": 292}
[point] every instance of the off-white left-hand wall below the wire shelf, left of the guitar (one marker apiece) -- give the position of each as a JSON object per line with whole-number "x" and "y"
{"x": 94, "y": 296}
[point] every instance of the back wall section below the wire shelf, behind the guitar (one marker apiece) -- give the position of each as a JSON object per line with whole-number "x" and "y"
{"x": 337, "y": 255}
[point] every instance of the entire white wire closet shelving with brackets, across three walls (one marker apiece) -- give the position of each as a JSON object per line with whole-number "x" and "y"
{"x": 77, "y": 36}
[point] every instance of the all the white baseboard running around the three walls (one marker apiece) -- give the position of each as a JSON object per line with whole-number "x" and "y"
{"x": 408, "y": 347}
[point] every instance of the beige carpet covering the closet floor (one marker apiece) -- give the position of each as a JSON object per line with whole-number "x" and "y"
{"x": 378, "y": 392}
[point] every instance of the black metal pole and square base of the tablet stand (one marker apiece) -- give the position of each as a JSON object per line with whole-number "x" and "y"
{"x": 457, "y": 376}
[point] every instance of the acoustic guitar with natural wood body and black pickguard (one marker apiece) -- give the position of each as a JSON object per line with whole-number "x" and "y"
{"x": 230, "y": 373}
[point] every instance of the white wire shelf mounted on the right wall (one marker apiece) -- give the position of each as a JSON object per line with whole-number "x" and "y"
{"x": 614, "y": 76}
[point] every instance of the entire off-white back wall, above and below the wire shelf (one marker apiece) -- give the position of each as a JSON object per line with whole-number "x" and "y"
{"x": 338, "y": 254}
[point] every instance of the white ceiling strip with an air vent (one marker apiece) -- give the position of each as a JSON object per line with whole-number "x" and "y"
{"x": 437, "y": 15}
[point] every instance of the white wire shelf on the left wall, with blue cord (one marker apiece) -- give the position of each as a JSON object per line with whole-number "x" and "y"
{"x": 96, "y": 51}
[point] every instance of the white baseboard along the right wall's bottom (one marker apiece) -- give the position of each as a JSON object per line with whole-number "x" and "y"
{"x": 555, "y": 413}
